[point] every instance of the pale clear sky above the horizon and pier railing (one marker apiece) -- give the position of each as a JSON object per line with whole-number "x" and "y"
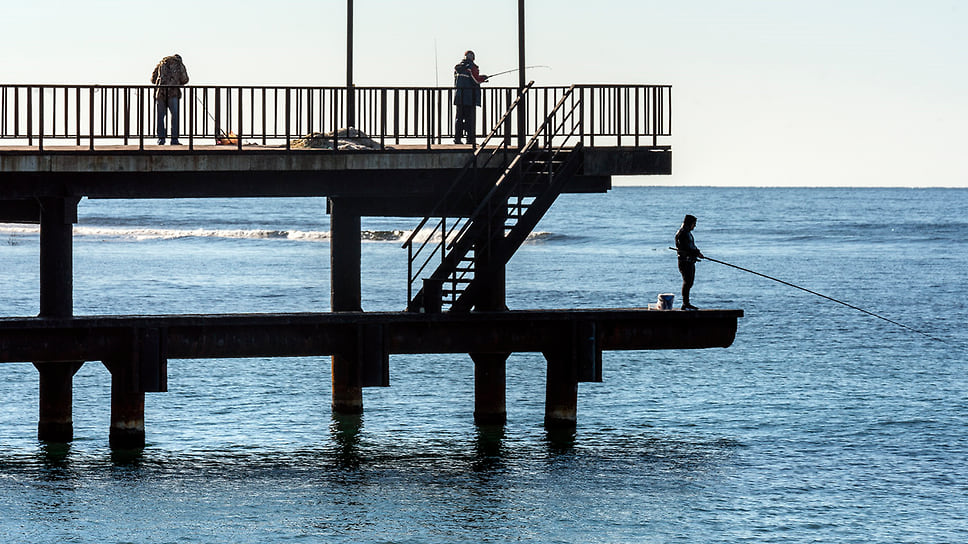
{"x": 765, "y": 92}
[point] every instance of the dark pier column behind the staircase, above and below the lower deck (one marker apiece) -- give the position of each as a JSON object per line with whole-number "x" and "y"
{"x": 490, "y": 369}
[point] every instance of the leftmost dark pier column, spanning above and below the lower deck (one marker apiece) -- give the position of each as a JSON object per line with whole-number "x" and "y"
{"x": 57, "y": 218}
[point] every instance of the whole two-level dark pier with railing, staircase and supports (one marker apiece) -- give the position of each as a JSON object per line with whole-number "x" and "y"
{"x": 472, "y": 206}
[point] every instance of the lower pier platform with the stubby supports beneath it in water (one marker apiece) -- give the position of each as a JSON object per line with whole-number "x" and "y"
{"x": 136, "y": 349}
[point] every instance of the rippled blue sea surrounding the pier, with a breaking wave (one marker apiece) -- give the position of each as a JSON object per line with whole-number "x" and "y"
{"x": 821, "y": 423}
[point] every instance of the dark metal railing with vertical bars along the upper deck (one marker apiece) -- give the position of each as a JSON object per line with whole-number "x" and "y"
{"x": 88, "y": 116}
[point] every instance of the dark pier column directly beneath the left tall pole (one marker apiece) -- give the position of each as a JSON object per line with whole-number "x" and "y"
{"x": 345, "y": 296}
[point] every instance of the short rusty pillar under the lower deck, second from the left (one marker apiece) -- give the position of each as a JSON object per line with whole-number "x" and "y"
{"x": 127, "y": 407}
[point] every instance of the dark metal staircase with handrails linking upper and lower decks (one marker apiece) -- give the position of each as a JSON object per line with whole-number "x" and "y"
{"x": 514, "y": 202}
